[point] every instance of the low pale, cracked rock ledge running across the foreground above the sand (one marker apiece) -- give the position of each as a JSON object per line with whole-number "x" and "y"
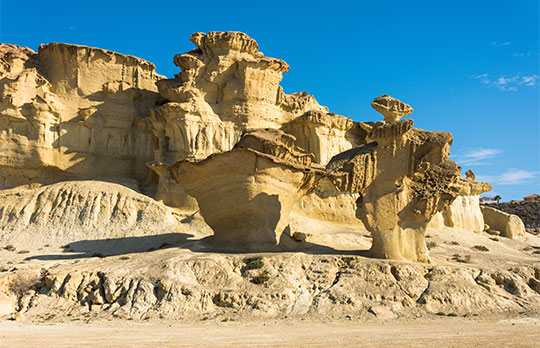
{"x": 215, "y": 286}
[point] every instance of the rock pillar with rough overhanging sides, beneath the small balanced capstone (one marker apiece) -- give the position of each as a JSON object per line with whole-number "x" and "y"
{"x": 404, "y": 177}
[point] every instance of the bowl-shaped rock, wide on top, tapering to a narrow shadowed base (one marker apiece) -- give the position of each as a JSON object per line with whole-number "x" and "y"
{"x": 246, "y": 194}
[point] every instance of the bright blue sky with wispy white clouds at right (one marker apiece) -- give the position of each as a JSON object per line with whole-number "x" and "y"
{"x": 468, "y": 67}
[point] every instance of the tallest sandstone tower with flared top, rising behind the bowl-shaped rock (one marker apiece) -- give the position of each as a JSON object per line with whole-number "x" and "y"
{"x": 226, "y": 86}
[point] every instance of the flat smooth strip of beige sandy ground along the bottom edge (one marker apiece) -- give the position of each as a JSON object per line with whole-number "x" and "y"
{"x": 444, "y": 332}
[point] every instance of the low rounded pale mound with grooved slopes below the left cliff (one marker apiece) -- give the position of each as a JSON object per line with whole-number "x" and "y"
{"x": 79, "y": 211}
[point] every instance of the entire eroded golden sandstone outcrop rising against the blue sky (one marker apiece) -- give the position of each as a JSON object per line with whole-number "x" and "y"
{"x": 222, "y": 137}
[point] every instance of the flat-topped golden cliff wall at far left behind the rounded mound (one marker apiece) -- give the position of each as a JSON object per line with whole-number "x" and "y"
{"x": 72, "y": 111}
